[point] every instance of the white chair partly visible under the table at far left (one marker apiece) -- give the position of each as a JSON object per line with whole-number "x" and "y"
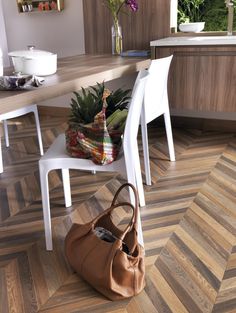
{"x": 19, "y": 112}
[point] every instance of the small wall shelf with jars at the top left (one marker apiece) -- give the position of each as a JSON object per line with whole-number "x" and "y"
{"x": 25, "y": 6}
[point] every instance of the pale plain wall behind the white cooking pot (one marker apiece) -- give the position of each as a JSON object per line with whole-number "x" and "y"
{"x": 59, "y": 32}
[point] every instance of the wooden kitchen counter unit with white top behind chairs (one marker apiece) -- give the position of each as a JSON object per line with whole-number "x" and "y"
{"x": 202, "y": 79}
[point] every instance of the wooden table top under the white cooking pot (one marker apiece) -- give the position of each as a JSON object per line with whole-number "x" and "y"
{"x": 72, "y": 74}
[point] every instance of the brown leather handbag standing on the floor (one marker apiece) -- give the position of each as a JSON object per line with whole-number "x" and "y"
{"x": 109, "y": 259}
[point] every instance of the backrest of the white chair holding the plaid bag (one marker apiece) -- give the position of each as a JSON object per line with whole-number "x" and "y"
{"x": 135, "y": 106}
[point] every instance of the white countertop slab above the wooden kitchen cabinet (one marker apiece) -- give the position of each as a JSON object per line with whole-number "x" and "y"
{"x": 195, "y": 41}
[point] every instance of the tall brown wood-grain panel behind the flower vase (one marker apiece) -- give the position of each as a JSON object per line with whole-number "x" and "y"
{"x": 150, "y": 22}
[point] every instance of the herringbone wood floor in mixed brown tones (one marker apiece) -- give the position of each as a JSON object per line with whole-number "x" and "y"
{"x": 189, "y": 226}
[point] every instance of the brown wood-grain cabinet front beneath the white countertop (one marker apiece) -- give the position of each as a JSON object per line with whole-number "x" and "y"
{"x": 201, "y": 78}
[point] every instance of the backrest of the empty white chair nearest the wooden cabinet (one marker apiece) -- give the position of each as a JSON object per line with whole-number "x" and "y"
{"x": 156, "y": 97}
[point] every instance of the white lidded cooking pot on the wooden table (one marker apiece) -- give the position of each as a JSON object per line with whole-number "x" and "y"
{"x": 34, "y": 62}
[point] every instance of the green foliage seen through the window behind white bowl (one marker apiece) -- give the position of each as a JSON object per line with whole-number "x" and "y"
{"x": 213, "y": 12}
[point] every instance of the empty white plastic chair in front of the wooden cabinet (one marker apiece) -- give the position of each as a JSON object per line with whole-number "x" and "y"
{"x": 155, "y": 104}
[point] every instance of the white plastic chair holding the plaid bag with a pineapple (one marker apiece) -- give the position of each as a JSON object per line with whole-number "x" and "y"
{"x": 127, "y": 162}
